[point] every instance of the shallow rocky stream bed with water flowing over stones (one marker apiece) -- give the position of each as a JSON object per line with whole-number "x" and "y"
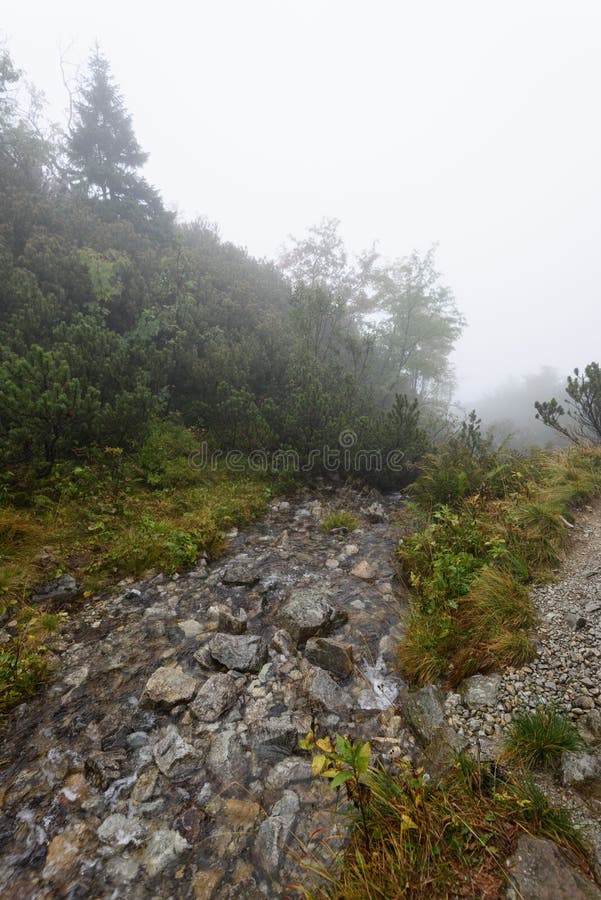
{"x": 162, "y": 758}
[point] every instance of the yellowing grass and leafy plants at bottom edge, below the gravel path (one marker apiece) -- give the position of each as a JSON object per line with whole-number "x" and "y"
{"x": 412, "y": 837}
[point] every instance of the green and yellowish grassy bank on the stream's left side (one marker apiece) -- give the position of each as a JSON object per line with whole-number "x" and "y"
{"x": 105, "y": 518}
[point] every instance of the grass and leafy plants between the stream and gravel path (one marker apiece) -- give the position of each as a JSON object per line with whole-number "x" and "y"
{"x": 491, "y": 523}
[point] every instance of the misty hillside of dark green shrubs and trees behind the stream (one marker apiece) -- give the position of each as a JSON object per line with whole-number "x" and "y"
{"x": 116, "y": 316}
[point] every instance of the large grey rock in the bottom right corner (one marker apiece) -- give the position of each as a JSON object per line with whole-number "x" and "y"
{"x": 539, "y": 871}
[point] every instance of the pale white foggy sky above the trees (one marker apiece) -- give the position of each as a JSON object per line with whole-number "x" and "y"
{"x": 474, "y": 125}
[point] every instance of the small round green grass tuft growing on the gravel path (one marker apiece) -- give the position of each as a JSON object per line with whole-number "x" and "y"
{"x": 538, "y": 739}
